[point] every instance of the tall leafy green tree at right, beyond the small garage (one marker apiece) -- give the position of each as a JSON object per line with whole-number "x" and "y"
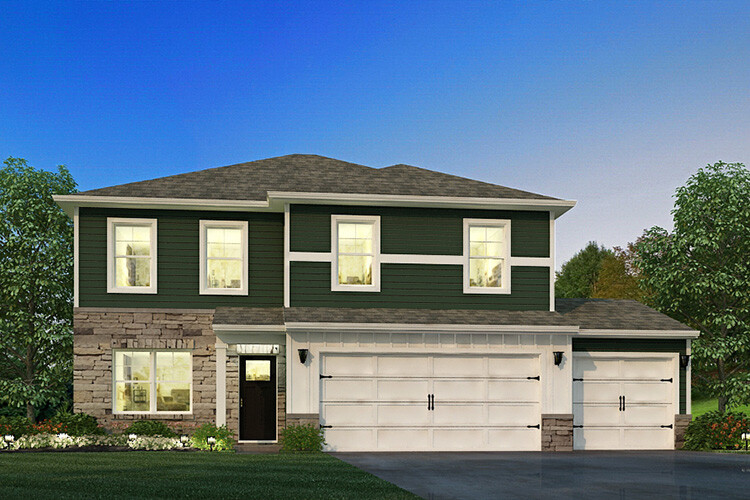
{"x": 700, "y": 275}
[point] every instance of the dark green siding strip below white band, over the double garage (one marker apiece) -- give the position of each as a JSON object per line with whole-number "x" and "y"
{"x": 418, "y": 286}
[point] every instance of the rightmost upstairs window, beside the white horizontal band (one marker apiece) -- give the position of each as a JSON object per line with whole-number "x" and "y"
{"x": 486, "y": 256}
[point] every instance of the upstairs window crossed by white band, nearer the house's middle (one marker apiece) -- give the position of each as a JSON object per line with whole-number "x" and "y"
{"x": 355, "y": 243}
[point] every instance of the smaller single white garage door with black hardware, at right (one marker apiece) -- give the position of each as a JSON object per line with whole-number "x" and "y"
{"x": 624, "y": 403}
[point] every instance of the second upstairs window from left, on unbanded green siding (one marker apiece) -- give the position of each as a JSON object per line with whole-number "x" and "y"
{"x": 224, "y": 250}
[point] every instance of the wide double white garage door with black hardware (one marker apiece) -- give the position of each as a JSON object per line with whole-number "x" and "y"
{"x": 430, "y": 402}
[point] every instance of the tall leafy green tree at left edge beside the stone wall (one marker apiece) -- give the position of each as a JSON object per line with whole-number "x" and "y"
{"x": 36, "y": 284}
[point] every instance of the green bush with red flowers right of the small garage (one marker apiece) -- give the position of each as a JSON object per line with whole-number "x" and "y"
{"x": 717, "y": 431}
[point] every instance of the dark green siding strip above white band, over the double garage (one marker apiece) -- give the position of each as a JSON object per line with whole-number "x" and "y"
{"x": 427, "y": 231}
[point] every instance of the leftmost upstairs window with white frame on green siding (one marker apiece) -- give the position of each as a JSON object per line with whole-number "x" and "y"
{"x": 131, "y": 255}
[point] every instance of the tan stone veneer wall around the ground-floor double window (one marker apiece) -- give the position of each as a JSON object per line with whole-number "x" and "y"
{"x": 97, "y": 331}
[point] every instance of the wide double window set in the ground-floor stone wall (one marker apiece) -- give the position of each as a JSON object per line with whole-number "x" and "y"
{"x": 152, "y": 381}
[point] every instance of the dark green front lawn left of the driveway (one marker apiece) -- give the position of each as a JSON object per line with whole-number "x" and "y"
{"x": 186, "y": 475}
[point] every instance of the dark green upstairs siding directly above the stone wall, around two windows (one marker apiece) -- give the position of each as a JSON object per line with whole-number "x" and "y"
{"x": 178, "y": 260}
